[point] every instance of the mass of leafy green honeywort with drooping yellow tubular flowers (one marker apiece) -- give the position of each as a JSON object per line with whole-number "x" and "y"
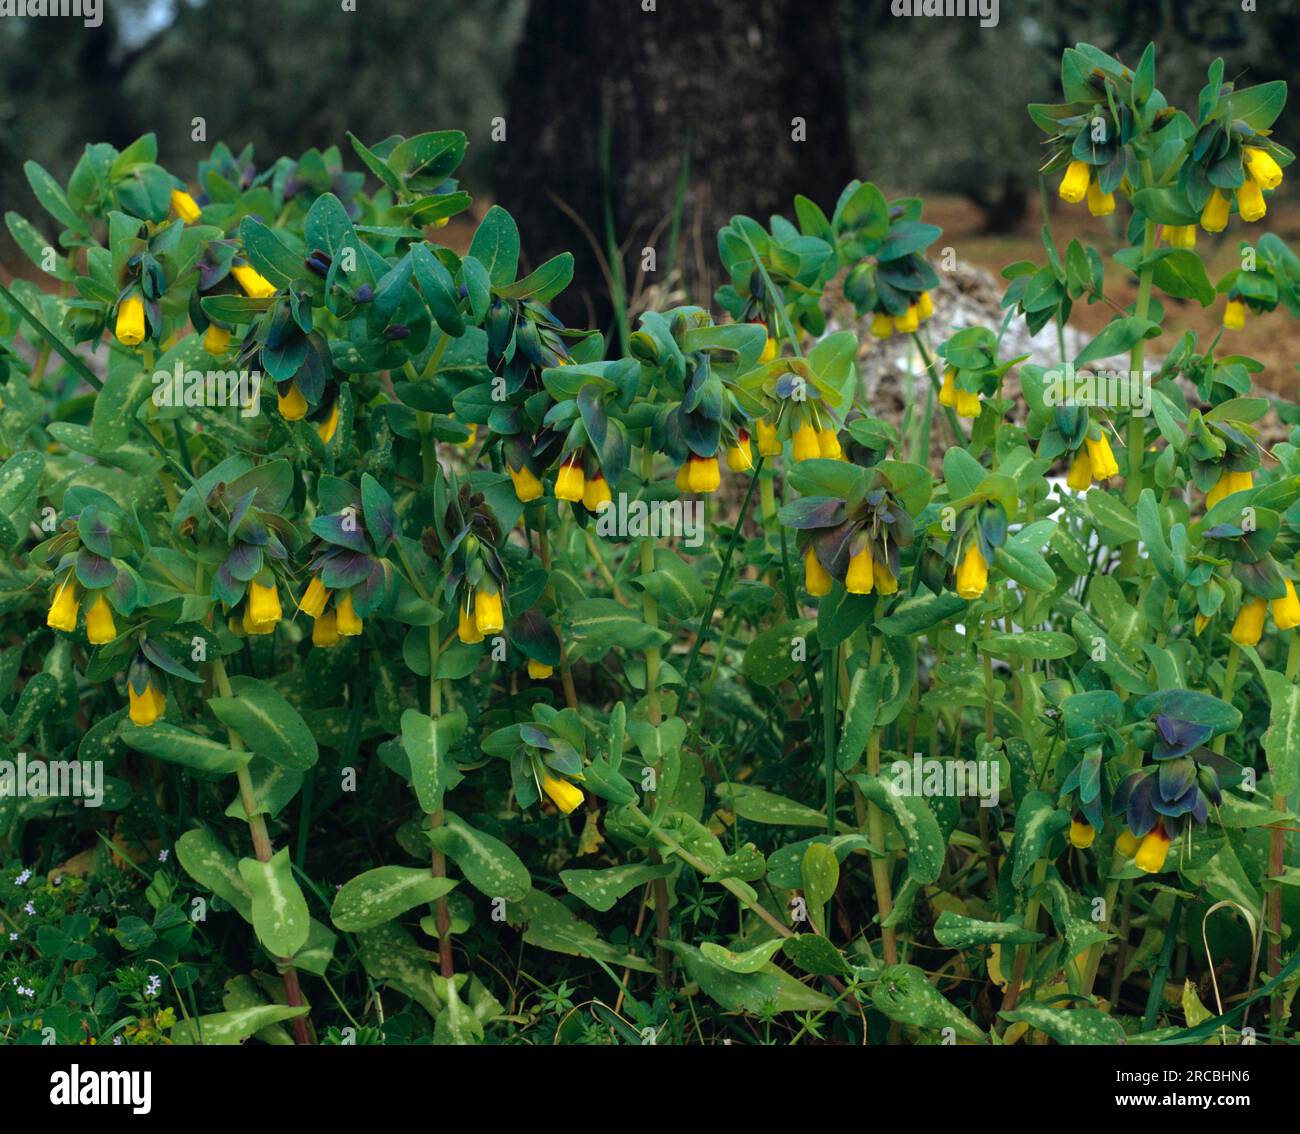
{"x": 297, "y": 495}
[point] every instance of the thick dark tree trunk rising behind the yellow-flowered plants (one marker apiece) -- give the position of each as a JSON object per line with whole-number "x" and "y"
{"x": 721, "y": 83}
